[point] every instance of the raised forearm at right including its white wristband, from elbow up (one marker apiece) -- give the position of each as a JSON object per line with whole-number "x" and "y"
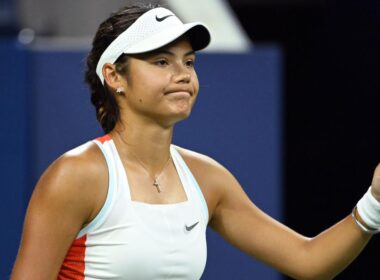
{"x": 338, "y": 246}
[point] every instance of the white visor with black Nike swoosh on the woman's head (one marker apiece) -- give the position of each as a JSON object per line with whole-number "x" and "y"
{"x": 153, "y": 30}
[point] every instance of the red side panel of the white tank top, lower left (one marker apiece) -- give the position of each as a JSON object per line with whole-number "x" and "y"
{"x": 73, "y": 265}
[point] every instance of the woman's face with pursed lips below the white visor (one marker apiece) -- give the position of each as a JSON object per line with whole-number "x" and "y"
{"x": 162, "y": 86}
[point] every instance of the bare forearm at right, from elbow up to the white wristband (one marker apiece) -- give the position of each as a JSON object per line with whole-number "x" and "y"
{"x": 334, "y": 249}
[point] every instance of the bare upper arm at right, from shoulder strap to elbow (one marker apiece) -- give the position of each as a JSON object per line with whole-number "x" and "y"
{"x": 238, "y": 220}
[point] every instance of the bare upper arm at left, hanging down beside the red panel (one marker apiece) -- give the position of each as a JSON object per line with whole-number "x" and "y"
{"x": 60, "y": 205}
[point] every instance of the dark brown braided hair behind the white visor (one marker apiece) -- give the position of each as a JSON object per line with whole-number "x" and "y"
{"x": 107, "y": 109}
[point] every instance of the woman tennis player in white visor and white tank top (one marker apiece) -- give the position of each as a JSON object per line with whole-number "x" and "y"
{"x": 131, "y": 205}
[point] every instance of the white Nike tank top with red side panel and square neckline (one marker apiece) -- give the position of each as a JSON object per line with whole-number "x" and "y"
{"x": 136, "y": 240}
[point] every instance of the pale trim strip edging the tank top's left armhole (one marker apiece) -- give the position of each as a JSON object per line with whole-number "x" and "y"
{"x": 106, "y": 208}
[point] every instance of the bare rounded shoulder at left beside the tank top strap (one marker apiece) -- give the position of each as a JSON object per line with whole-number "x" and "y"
{"x": 78, "y": 178}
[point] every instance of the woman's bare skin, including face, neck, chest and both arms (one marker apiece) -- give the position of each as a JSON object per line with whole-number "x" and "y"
{"x": 160, "y": 90}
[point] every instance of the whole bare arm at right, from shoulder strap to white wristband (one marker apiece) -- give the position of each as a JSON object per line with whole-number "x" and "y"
{"x": 238, "y": 220}
